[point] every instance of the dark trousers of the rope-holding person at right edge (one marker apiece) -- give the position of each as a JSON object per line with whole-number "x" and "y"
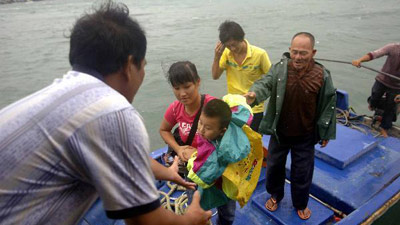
{"x": 389, "y": 106}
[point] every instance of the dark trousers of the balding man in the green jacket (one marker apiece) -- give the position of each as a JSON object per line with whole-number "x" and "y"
{"x": 302, "y": 167}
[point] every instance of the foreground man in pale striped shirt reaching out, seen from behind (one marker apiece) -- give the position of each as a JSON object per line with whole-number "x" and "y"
{"x": 80, "y": 138}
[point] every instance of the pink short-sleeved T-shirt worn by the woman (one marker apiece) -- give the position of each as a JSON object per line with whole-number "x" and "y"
{"x": 176, "y": 114}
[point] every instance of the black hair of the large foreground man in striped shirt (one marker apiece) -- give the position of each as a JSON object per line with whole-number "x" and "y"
{"x": 104, "y": 39}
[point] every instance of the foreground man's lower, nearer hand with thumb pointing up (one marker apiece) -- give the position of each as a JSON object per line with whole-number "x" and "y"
{"x": 195, "y": 214}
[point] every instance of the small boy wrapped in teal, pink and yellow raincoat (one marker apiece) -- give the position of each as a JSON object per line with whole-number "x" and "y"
{"x": 222, "y": 144}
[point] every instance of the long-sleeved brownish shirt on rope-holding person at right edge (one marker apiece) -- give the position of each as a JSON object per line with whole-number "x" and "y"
{"x": 391, "y": 66}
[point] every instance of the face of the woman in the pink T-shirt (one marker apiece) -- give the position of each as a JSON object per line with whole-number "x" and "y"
{"x": 187, "y": 93}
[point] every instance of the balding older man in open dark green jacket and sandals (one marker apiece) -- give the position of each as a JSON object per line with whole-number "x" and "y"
{"x": 300, "y": 113}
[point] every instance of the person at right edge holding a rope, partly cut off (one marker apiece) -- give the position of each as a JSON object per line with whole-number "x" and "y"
{"x": 385, "y": 84}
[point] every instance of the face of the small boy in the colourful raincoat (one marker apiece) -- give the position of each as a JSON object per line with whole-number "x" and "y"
{"x": 209, "y": 127}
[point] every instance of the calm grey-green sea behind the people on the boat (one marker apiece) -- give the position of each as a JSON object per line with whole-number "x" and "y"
{"x": 34, "y": 42}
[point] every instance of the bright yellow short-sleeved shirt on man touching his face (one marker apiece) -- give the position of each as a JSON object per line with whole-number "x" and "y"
{"x": 241, "y": 77}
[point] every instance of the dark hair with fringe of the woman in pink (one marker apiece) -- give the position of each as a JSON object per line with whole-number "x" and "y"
{"x": 182, "y": 72}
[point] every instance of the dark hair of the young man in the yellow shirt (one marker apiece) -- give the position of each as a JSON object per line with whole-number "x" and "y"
{"x": 230, "y": 30}
